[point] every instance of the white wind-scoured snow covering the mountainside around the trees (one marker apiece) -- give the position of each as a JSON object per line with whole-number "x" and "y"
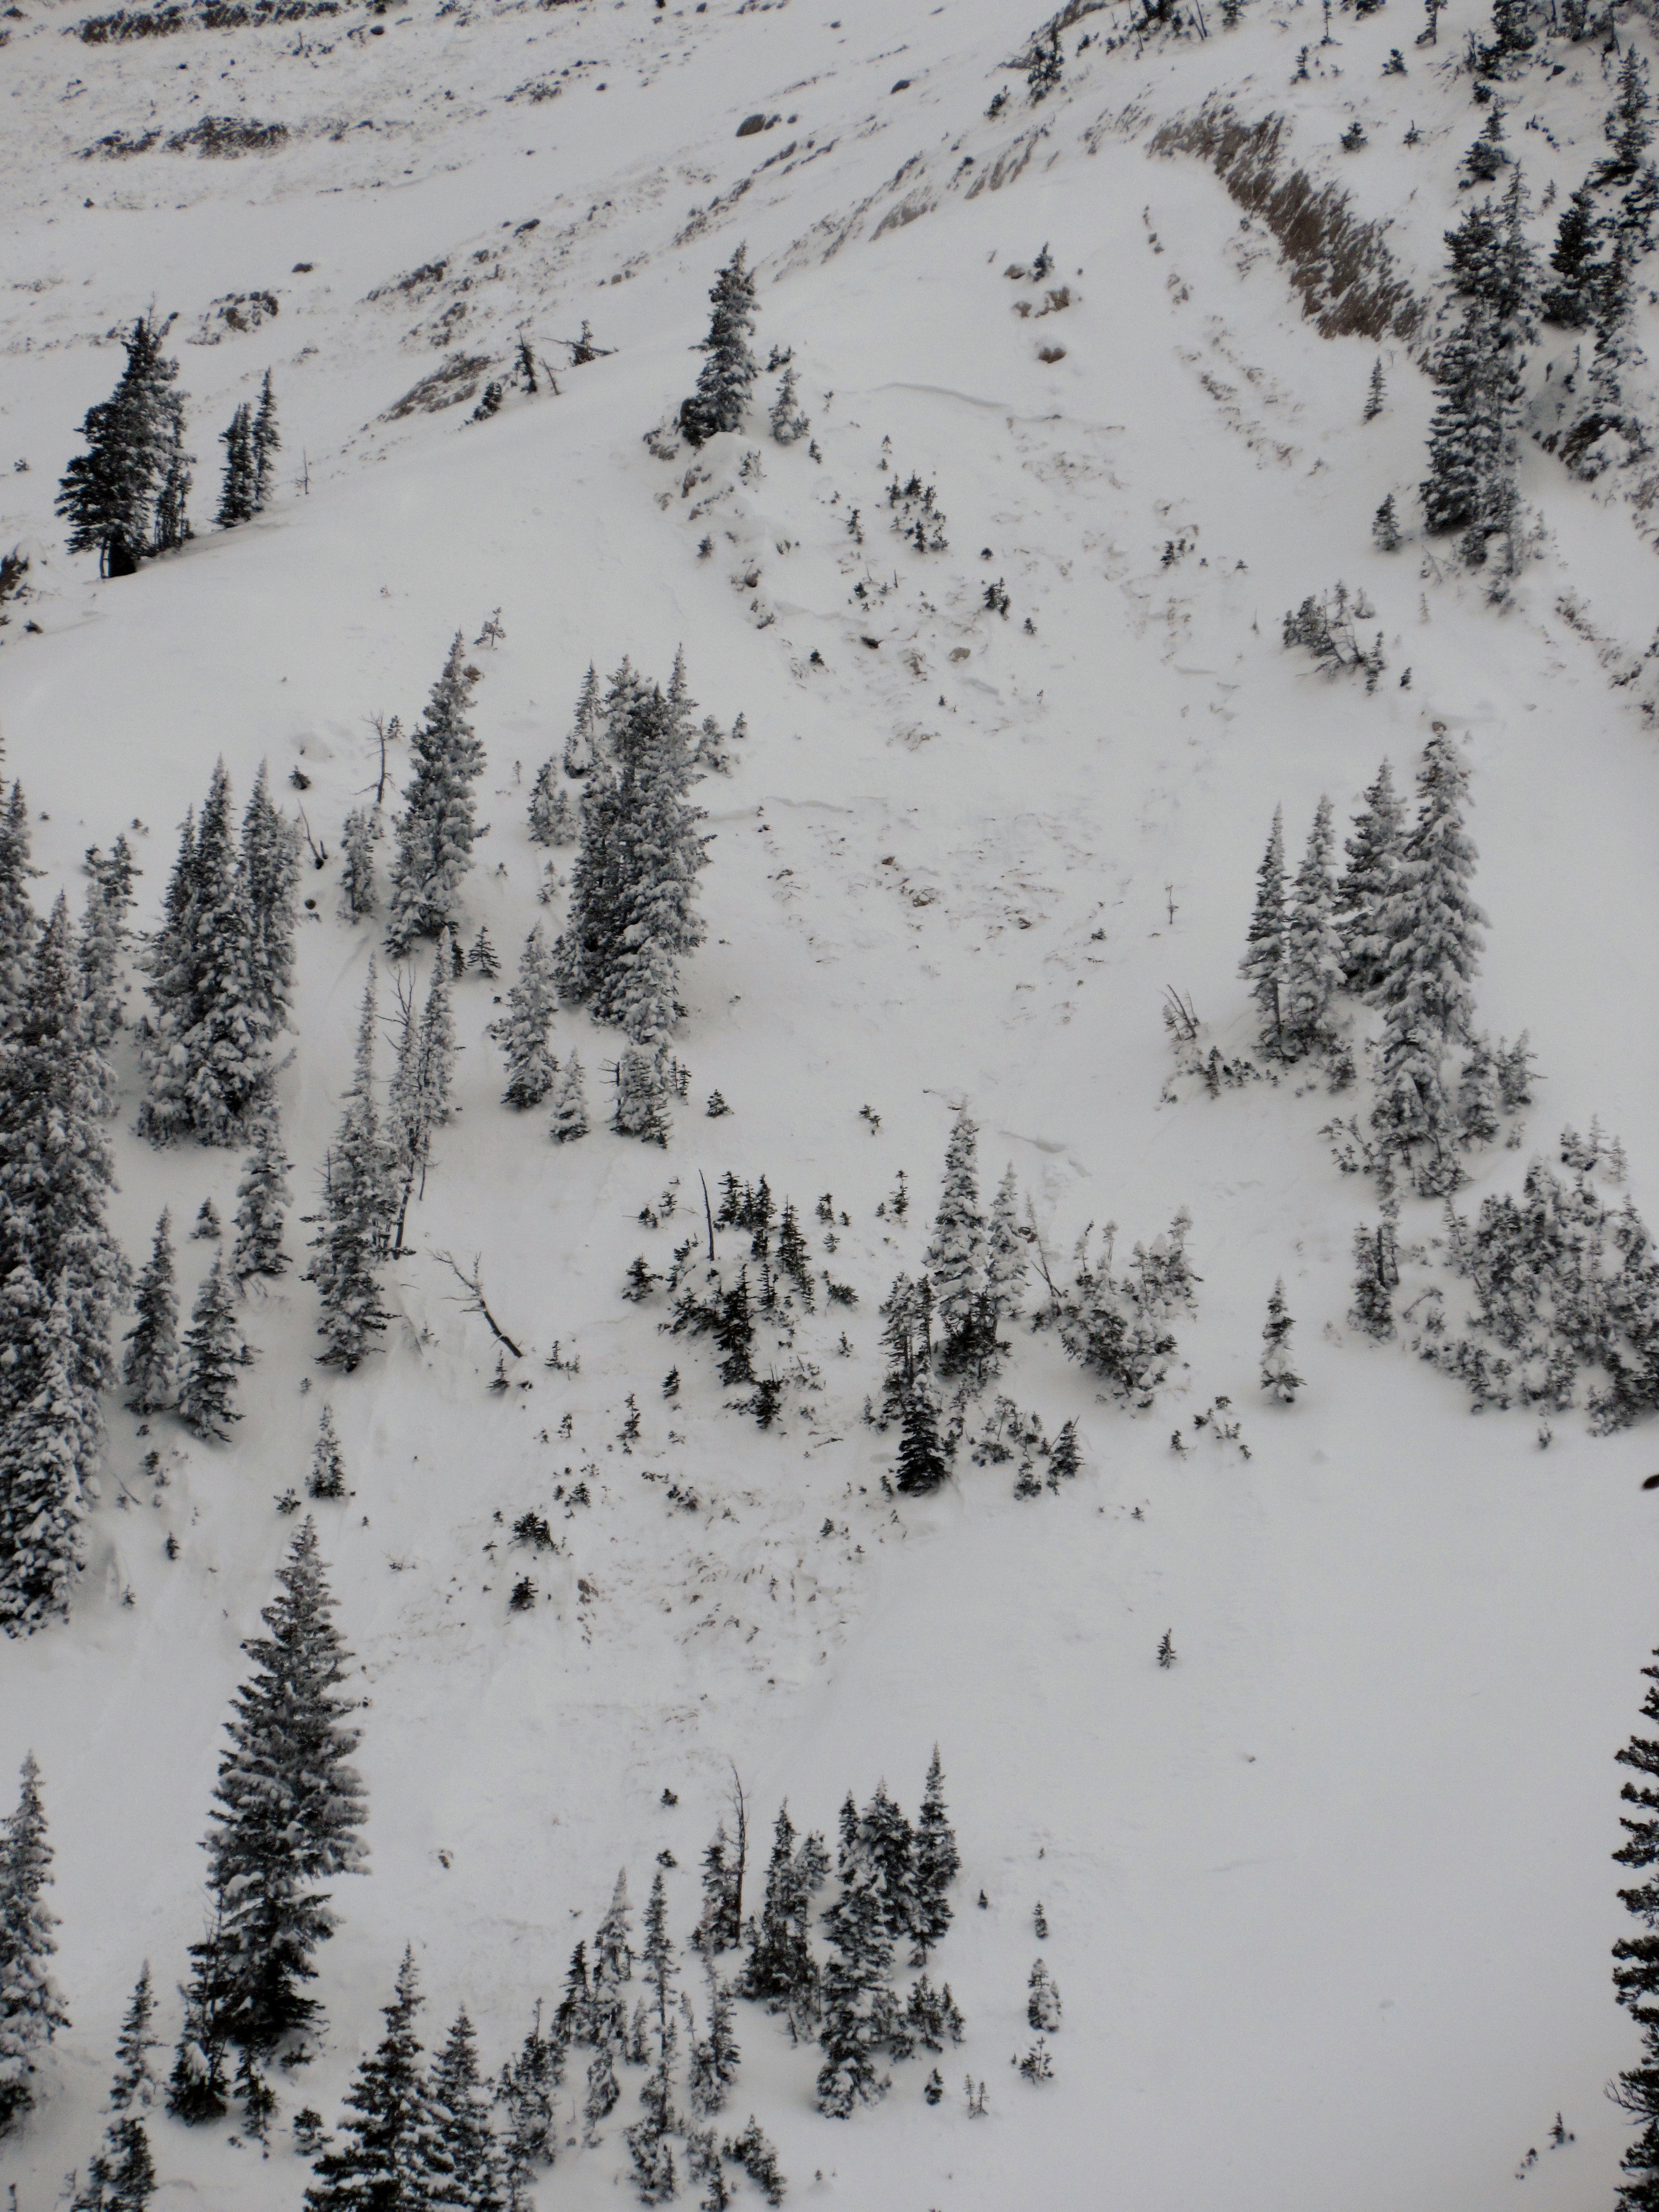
{"x": 1333, "y": 1897}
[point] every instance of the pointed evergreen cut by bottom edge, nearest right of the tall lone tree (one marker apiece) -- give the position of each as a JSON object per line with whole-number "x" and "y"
{"x": 393, "y": 2151}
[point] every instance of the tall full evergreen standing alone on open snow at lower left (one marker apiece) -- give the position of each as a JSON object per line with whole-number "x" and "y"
{"x": 286, "y": 1808}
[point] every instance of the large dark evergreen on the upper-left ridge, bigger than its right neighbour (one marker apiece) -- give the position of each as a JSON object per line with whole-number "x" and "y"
{"x": 109, "y": 494}
